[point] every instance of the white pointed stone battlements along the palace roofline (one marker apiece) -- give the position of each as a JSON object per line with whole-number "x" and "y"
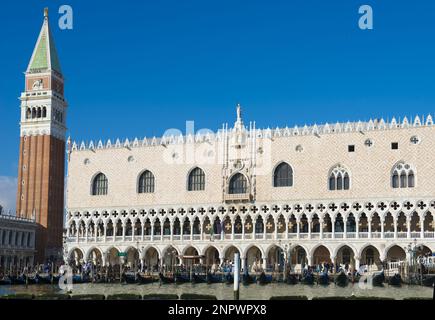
{"x": 316, "y": 130}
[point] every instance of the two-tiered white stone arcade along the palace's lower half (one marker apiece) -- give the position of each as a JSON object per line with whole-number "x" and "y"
{"x": 354, "y": 232}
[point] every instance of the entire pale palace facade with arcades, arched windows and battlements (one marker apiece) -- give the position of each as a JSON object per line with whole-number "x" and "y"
{"x": 356, "y": 192}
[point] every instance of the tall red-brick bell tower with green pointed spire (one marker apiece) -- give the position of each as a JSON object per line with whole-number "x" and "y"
{"x": 43, "y": 107}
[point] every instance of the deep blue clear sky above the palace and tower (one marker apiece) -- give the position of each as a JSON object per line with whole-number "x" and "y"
{"x": 138, "y": 68}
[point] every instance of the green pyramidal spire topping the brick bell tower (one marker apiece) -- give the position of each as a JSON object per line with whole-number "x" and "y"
{"x": 44, "y": 57}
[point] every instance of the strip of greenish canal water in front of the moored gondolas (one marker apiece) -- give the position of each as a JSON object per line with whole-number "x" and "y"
{"x": 224, "y": 291}
